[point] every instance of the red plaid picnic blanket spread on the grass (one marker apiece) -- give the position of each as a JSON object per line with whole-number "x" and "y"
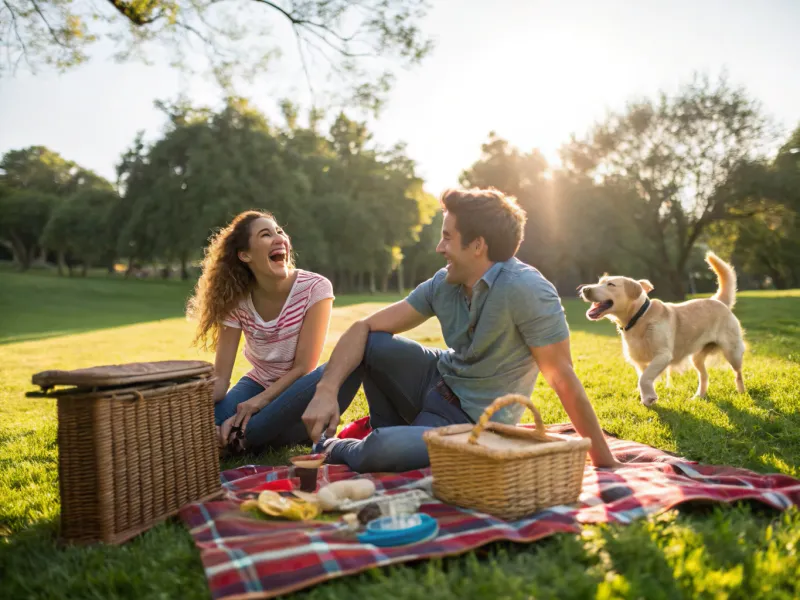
{"x": 249, "y": 558}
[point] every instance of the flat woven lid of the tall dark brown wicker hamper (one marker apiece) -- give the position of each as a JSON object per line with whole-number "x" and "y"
{"x": 127, "y": 374}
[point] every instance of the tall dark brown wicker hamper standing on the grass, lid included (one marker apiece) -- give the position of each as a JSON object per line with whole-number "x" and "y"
{"x": 136, "y": 442}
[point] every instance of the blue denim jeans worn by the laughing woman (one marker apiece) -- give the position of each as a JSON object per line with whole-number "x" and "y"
{"x": 278, "y": 424}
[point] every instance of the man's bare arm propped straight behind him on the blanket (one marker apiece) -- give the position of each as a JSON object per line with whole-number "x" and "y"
{"x": 555, "y": 363}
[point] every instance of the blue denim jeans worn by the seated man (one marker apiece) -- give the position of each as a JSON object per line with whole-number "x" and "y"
{"x": 400, "y": 381}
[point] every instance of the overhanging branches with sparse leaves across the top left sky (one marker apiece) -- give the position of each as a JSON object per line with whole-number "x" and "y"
{"x": 357, "y": 42}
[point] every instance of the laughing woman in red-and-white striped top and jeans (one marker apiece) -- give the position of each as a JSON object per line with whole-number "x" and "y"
{"x": 249, "y": 285}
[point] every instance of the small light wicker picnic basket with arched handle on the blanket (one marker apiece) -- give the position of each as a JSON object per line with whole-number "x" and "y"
{"x": 506, "y": 471}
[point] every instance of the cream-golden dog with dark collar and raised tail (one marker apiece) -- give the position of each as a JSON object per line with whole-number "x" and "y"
{"x": 660, "y": 335}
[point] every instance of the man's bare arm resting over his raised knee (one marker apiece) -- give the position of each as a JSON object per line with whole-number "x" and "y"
{"x": 322, "y": 413}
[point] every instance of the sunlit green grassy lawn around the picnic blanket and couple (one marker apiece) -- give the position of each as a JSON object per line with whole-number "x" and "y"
{"x": 705, "y": 552}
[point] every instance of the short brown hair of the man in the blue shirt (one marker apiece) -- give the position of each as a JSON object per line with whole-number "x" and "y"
{"x": 489, "y": 214}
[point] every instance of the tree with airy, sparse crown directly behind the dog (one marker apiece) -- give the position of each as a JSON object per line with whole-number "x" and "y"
{"x": 691, "y": 159}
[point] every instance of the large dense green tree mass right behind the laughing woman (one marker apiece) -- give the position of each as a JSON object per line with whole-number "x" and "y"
{"x": 348, "y": 208}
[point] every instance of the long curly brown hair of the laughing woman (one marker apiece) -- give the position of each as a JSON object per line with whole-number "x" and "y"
{"x": 225, "y": 279}
